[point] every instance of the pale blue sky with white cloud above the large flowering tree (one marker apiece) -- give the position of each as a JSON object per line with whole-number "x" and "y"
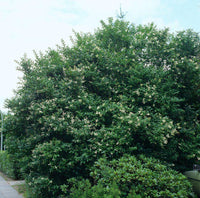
{"x": 28, "y": 25}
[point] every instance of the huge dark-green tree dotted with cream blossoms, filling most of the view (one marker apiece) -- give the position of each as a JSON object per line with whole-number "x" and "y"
{"x": 125, "y": 89}
